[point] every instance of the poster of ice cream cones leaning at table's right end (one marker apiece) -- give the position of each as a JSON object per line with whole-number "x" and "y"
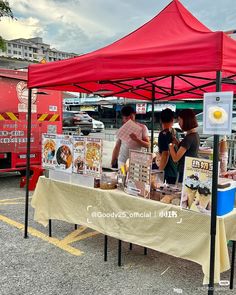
{"x": 197, "y": 185}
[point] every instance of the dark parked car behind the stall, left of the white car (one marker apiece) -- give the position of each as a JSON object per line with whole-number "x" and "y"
{"x": 75, "y": 120}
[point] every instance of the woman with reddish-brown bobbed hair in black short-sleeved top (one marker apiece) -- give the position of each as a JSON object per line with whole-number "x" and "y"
{"x": 189, "y": 146}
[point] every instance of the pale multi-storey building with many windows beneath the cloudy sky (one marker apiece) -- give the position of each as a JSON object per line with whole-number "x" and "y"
{"x": 33, "y": 50}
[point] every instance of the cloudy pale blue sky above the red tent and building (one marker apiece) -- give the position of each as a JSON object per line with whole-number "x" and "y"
{"x": 84, "y": 25}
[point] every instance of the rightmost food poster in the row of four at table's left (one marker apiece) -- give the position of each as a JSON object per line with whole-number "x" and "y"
{"x": 93, "y": 157}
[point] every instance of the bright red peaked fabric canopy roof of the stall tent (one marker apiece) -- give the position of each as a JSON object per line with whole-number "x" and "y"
{"x": 173, "y": 43}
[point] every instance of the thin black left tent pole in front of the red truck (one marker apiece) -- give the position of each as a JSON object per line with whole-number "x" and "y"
{"x": 28, "y": 164}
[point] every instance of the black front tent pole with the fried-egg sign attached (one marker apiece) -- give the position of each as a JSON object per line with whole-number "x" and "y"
{"x": 214, "y": 198}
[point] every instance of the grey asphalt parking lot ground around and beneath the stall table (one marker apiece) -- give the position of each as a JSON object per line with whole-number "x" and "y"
{"x": 39, "y": 266}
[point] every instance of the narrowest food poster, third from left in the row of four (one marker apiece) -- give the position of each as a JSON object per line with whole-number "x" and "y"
{"x": 78, "y": 154}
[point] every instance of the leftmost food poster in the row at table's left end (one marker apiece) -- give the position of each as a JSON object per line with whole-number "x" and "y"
{"x": 49, "y": 145}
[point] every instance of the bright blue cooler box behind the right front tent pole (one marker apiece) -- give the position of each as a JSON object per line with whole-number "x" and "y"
{"x": 225, "y": 200}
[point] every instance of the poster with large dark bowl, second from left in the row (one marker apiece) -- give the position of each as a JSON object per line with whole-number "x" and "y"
{"x": 64, "y": 153}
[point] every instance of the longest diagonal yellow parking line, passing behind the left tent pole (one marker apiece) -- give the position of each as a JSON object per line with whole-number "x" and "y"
{"x": 42, "y": 236}
